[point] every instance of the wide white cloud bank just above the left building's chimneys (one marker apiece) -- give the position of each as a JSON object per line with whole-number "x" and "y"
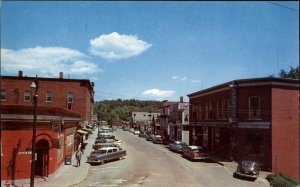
{"x": 46, "y": 61}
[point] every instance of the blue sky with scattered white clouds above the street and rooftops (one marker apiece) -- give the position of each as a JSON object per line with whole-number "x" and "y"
{"x": 149, "y": 50}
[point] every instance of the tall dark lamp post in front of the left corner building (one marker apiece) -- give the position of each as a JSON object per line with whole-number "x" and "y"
{"x": 34, "y": 86}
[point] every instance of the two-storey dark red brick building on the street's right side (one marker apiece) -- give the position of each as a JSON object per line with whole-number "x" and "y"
{"x": 257, "y": 118}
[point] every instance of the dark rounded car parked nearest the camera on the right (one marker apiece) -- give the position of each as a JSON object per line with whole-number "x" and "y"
{"x": 248, "y": 168}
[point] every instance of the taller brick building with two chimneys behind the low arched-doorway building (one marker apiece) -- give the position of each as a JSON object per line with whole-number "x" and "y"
{"x": 76, "y": 95}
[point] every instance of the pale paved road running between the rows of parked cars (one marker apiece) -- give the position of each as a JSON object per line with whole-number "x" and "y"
{"x": 148, "y": 164}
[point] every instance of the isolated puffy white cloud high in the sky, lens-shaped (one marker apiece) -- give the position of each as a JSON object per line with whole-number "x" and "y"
{"x": 114, "y": 46}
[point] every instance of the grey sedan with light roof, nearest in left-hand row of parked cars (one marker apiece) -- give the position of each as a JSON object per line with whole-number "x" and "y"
{"x": 105, "y": 154}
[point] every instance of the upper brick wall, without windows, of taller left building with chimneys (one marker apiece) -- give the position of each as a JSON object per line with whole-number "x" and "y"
{"x": 81, "y": 102}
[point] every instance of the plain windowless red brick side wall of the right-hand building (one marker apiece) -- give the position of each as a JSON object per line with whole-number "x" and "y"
{"x": 285, "y": 132}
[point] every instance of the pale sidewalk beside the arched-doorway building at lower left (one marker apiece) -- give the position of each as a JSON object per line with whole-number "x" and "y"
{"x": 69, "y": 175}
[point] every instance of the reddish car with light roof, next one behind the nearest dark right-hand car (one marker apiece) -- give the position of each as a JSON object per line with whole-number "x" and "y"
{"x": 194, "y": 153}
